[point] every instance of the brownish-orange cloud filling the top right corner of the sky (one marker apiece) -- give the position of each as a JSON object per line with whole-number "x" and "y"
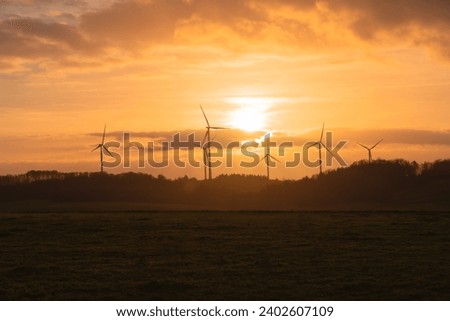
{"x": 420, "y": 22}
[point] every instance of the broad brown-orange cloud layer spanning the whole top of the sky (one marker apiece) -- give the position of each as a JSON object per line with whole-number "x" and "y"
{"x": 135, "y": 26}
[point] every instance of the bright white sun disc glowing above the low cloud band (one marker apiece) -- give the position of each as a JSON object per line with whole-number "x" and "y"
{"x": 250, "y": 114}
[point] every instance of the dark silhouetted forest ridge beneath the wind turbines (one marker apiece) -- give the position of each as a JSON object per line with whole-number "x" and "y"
{"x": 379, "y": 185}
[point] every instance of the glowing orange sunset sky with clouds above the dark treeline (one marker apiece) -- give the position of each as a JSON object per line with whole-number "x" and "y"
{"x": 369, "y": 69}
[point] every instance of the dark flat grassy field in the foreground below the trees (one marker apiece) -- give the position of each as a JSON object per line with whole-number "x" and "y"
{"x": 225, "y": 256}
